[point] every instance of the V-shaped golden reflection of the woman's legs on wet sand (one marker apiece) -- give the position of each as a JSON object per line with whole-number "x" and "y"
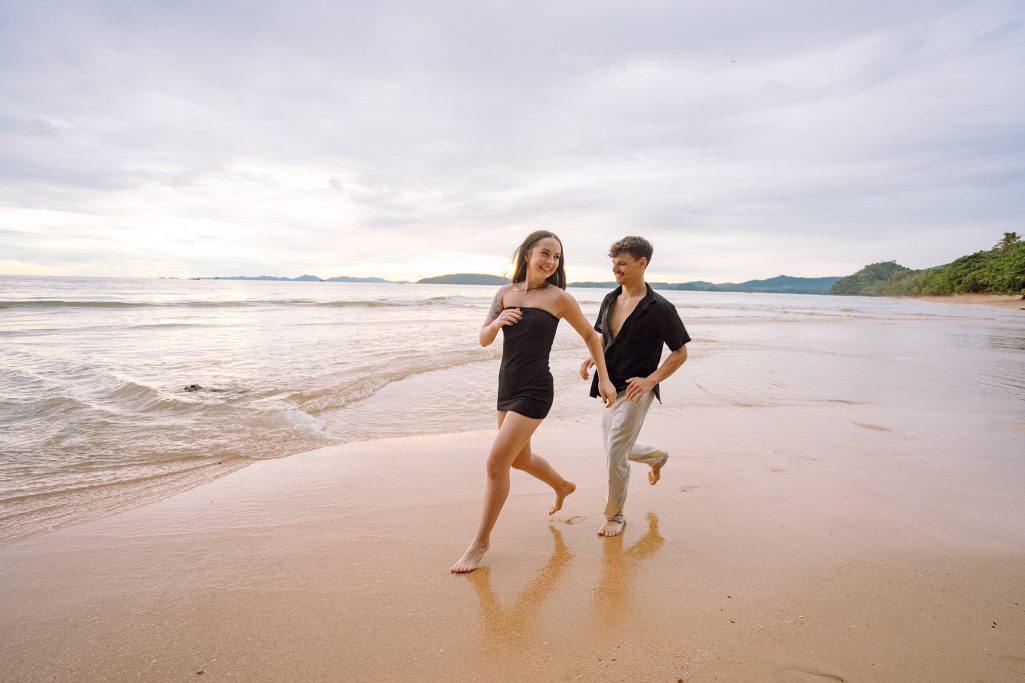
{"x": 512, "y": 626}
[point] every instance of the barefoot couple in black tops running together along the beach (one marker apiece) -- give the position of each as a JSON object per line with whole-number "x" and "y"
{"x": 626, "y": 346}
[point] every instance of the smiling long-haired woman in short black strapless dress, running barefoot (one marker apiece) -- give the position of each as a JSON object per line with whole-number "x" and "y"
{"x": 528, "y": 311}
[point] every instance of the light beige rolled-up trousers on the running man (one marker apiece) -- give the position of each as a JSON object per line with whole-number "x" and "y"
{"x": 621, "y": 427}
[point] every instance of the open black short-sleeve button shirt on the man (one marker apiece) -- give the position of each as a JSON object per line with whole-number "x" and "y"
{"x": 636, "y": 352}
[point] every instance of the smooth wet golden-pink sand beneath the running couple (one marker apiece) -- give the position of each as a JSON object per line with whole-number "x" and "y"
{"x": 829, "y": 542}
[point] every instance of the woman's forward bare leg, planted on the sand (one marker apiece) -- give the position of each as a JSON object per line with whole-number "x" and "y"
{"x": 514, "y": 434}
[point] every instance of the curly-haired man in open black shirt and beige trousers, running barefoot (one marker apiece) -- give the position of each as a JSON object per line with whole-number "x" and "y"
{"x": 635, "y": 323}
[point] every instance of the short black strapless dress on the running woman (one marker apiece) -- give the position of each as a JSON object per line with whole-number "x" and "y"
{"x": 524, "y": 381}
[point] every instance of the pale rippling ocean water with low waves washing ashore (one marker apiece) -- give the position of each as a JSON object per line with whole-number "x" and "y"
{"x": 115, "y": 392}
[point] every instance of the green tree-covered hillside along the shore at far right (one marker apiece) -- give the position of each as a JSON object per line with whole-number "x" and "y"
{"x": 998, "y": 271}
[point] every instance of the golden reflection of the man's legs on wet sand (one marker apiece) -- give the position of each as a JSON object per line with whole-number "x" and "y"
{"x": 619, "y": 567}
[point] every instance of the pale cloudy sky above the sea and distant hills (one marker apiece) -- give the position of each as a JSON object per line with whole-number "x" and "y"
{"x": 404, "y": 140}
